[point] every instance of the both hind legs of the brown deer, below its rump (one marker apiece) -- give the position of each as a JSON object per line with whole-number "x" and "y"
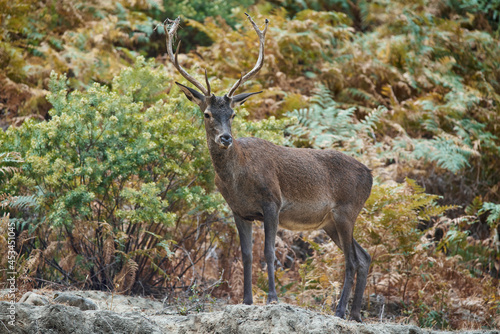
{"x": 357, "y": 261}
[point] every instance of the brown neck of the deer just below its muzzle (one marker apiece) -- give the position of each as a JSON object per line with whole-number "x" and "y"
{"x": 224, "y": 160}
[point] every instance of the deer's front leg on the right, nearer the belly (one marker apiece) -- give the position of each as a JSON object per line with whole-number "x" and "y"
{"x": 271, "y": 219}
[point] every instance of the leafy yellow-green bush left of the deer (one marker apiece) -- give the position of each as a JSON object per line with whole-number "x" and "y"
{"x": 103, "y": 158}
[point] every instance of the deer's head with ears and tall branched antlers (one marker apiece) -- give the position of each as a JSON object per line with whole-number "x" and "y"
{"x": 218, "y": 111}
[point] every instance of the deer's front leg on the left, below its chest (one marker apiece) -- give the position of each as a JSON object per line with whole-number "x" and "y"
{"x": 245, "y": 231}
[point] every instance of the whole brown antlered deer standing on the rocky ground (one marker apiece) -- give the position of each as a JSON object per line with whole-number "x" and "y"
{"x": 299, "y": 189}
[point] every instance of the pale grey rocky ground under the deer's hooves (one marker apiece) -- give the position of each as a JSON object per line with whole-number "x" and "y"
{"x": 89, "y": 312}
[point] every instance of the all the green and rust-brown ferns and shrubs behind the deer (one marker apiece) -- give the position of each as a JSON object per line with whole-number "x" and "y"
{"x": 104, "y": 168}
